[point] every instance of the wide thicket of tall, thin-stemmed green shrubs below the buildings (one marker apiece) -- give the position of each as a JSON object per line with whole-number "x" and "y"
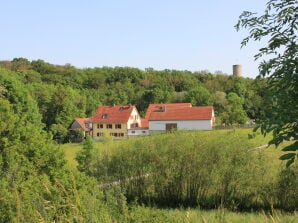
{"x": 198, "y": 169}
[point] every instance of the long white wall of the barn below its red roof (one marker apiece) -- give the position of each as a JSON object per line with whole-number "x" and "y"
{"x": 181, "y": 125}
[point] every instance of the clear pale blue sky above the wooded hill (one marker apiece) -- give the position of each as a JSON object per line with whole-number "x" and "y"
{"x": 189, "y": 35}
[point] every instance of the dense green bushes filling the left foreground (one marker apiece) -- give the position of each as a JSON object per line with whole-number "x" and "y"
{"x": 35, "y": 183}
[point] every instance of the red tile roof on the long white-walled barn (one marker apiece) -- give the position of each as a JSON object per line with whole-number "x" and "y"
{"x": 182, "y": 113}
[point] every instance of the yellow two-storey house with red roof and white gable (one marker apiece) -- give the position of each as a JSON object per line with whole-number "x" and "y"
{"x": 117, "y": 121}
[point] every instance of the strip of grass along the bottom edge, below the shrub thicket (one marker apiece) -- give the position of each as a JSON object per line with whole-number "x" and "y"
{"x": 153, "y": 215}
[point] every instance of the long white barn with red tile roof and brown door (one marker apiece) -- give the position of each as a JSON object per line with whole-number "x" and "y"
{"x": 181, "y": 116}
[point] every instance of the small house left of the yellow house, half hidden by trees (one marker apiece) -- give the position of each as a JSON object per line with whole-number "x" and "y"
{"x": 80, "y": 128}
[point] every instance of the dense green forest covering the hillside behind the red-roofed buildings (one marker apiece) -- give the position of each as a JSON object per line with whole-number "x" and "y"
{"x": 64, "y": 92}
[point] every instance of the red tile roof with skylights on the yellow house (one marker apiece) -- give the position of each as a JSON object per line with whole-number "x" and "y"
{"x": 112, "y": 114}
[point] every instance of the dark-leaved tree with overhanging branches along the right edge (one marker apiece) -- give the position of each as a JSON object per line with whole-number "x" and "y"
{"x": 278, "y": 28}
